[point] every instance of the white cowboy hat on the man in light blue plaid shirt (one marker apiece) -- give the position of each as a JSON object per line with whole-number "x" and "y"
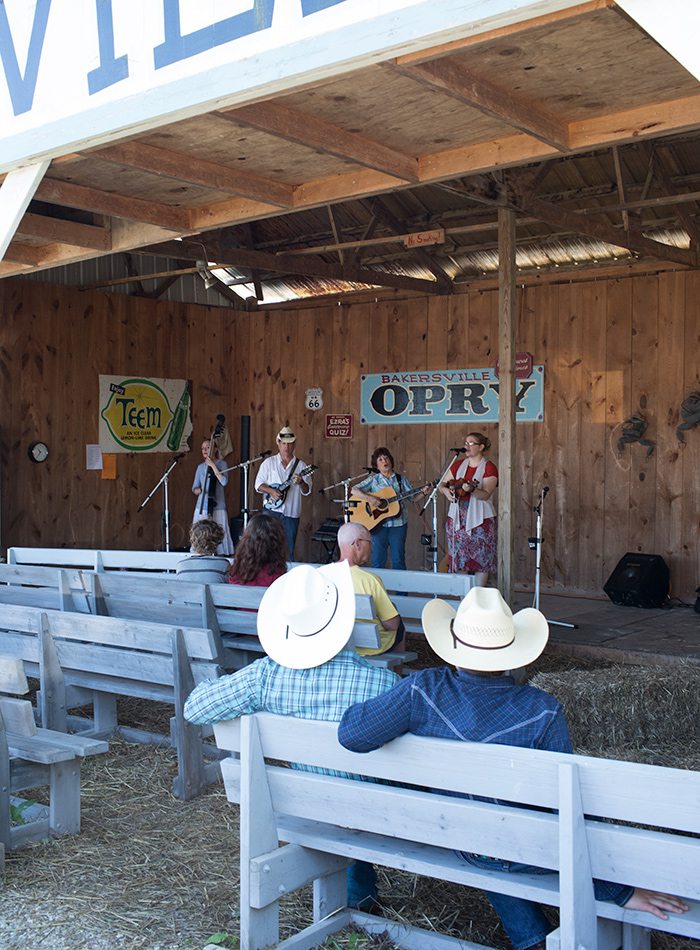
{"x": 306, "y": 616}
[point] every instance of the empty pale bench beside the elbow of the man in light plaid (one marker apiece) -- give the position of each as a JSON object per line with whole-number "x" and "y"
{"x": 81, "y": 659}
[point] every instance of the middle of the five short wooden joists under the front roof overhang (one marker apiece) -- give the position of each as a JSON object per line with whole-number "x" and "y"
{"x": 198, "y": 171}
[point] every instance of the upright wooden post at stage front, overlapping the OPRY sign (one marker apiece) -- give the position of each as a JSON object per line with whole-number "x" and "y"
{"x": 506, "y": 399}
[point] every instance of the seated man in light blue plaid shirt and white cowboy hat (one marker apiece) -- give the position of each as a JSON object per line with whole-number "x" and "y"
{"x": 305, "y": 621}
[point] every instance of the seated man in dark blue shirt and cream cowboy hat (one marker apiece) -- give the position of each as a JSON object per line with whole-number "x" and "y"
{"x": 477, "y": 703}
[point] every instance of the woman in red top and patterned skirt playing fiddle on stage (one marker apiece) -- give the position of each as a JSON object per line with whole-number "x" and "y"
{"x": 471, "y": 520}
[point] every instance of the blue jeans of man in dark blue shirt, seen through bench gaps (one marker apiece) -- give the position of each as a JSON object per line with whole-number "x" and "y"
{"x": 523, "y": 920}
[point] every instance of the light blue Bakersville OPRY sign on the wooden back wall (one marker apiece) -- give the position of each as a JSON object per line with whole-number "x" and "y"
{"x": 450, "y": 395}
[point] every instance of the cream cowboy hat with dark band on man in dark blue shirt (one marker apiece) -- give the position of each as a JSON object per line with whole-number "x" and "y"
{"x": 482, "y": 634}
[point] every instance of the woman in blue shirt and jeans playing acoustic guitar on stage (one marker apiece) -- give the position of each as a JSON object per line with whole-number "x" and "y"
{"x": 389, "y": 533}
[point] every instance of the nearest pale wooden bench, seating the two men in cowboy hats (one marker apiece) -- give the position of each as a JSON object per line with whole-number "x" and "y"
{"x": 327, "y": 821}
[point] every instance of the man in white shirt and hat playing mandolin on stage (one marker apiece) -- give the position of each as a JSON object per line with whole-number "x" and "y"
{"x": 284, "y": 479}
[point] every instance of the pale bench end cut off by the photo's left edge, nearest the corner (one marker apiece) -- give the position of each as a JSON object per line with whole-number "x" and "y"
{"x": 33, "y": 758}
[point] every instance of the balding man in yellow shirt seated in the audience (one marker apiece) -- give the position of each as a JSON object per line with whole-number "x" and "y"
{"x": 355, "y": 546}
